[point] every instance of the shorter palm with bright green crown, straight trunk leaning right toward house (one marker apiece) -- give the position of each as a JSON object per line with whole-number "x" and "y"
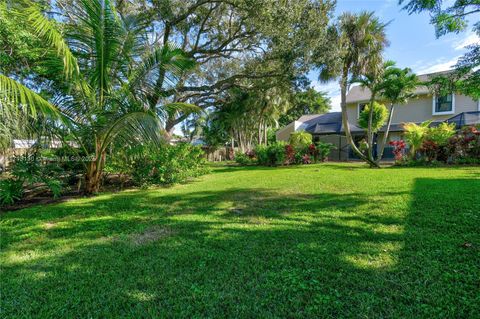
{"x": 397, "y": 87}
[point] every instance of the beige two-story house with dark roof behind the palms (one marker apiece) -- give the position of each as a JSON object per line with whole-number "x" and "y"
{"x": 328, "y": 127}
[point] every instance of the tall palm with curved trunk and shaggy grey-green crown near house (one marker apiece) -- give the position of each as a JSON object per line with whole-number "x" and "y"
{"x": 358, "y": 41}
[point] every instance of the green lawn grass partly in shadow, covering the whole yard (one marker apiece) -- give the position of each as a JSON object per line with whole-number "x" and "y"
{"x": 319, "y": 241}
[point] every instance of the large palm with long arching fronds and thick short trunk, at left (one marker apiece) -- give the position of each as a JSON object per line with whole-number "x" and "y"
{"x": 110, "y": 71}
